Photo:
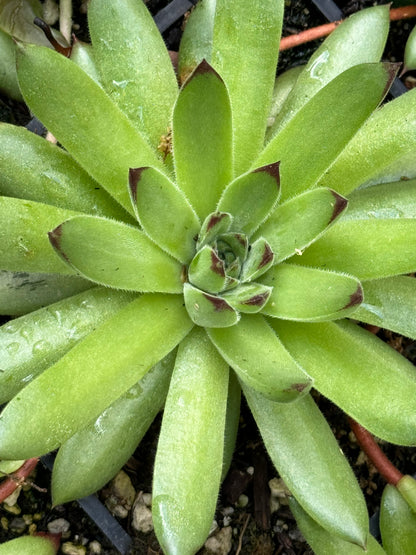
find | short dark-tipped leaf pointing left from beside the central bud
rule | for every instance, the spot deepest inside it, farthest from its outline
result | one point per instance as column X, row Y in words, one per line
column 115, row 254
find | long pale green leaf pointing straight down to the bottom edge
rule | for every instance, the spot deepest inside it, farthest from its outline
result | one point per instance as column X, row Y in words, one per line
column 187, row 474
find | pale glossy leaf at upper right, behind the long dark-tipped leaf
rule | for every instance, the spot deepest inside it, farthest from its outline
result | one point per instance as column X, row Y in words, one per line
column 360, row 39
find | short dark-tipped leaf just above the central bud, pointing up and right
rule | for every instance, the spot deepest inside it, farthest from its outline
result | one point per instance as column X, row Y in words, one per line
column 251, row 197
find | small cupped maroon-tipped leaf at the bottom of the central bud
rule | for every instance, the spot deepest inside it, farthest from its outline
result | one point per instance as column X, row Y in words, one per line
column 208, row 310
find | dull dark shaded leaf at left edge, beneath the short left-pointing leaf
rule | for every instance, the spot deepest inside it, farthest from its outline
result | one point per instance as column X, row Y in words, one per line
column 21, row 292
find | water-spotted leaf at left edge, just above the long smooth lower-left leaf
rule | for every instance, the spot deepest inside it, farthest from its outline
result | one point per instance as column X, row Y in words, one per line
column 32, row 343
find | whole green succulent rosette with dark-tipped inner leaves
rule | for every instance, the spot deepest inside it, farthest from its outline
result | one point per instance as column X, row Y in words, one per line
column 149, row 271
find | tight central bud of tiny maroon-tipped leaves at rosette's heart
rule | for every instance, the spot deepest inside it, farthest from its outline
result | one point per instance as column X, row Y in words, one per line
column 220, row 276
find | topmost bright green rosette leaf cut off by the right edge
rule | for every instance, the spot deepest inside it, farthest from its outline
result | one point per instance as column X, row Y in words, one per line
column 382, row 150
